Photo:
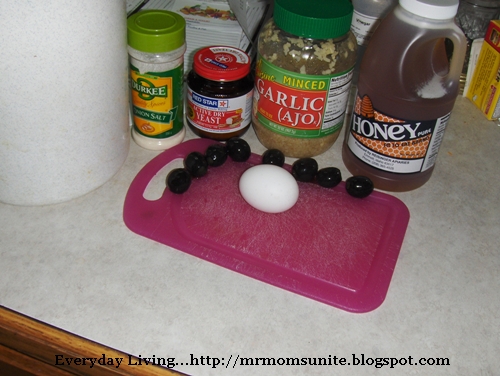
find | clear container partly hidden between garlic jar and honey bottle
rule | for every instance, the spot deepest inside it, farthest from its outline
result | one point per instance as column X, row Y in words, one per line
column 365, row 19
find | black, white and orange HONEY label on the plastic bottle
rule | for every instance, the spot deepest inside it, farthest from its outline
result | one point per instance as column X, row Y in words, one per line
column 394, row 145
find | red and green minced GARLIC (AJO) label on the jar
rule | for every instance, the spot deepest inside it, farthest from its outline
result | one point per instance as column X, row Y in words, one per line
column 300, row 105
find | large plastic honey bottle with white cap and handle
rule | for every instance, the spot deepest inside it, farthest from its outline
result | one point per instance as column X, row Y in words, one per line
column 408, row 83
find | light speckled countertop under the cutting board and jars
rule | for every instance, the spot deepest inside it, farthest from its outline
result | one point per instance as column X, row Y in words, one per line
column 77, row 266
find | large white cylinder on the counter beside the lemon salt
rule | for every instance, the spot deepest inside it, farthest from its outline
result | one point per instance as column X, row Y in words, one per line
column 64, row 128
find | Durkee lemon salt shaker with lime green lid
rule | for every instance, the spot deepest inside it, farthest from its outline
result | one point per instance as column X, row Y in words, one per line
column 156, row 48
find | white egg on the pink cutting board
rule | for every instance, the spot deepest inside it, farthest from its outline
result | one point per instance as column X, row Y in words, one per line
column 269, row 188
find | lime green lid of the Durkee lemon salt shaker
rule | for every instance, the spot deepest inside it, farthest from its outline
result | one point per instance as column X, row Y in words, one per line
column 156, row 31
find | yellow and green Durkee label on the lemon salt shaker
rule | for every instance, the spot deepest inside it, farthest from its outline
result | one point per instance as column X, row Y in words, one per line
column 155, row 104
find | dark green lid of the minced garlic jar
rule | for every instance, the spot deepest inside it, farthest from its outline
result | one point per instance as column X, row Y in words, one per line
column 317, row 19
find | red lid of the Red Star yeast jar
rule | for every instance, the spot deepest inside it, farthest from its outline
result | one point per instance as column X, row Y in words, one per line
column 221, row 63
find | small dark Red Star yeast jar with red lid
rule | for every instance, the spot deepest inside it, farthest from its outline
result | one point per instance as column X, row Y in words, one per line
column 219, row 93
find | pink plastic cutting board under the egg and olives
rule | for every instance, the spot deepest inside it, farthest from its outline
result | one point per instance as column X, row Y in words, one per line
column 330, row 247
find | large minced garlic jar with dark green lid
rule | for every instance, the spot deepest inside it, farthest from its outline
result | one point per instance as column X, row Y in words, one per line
column 306, row 55
